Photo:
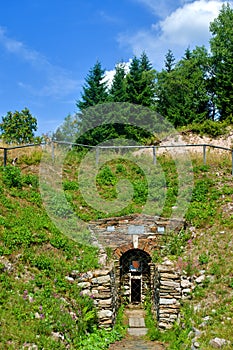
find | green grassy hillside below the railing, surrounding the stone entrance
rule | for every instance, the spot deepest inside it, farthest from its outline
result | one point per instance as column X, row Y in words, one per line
column 38, row 304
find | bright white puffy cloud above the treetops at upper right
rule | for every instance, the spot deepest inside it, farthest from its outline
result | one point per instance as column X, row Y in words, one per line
column 187, row 26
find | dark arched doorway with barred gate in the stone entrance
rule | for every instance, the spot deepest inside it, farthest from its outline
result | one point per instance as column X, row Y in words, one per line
column 135, row 276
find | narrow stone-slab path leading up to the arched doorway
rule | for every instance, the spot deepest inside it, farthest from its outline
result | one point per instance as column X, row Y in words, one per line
column 137, row 329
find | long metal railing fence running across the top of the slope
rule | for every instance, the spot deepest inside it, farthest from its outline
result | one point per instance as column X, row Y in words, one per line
column 98, row 149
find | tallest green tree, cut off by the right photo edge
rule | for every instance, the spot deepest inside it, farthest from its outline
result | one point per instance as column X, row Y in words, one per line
column 221, row 45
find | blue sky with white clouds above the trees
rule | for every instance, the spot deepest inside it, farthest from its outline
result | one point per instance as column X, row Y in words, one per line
column 47, row 47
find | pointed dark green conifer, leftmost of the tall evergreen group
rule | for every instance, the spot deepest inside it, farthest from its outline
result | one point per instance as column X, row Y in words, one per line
column 94, row 90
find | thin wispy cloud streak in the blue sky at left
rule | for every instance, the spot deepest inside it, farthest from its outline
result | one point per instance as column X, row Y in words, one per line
column 57, row 81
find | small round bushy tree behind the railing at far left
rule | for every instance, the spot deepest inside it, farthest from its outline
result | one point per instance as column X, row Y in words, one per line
column 19, row 127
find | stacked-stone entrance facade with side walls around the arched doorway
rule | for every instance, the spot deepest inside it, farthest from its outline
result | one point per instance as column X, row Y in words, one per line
column 142, row 232
